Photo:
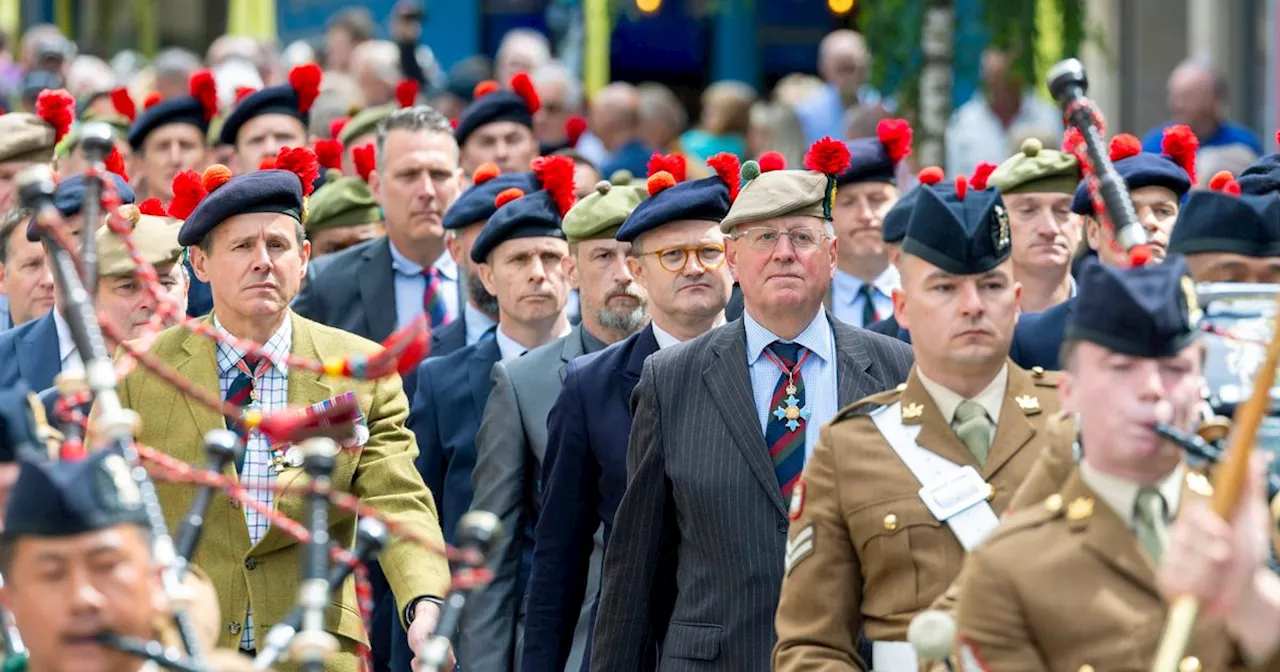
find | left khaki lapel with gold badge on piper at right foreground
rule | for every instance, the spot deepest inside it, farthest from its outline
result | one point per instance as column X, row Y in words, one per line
column 1108, row 537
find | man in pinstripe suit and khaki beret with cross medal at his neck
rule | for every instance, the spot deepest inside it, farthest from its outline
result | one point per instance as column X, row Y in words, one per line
column 723, row 428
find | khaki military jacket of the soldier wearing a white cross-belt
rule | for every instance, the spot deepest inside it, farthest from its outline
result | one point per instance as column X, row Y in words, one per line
column 865, row 551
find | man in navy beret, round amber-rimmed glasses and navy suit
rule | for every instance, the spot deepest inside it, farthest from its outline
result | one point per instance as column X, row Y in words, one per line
column 678, row 257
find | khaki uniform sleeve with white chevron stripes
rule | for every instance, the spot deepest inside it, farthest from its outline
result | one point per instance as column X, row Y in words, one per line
column 820, row 611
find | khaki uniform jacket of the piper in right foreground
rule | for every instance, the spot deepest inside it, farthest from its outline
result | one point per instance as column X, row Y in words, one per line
column 1067, row 587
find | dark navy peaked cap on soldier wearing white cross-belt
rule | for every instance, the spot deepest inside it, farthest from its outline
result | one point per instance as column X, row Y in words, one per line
column 961, row 236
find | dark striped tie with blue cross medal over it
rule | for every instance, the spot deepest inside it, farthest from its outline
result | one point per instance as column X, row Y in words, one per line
column 785, row 432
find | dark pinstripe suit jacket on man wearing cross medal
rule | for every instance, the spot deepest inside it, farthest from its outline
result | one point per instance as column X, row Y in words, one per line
column 694, row 566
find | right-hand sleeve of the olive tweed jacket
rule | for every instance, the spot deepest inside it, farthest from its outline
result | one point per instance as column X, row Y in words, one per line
column 387, row 481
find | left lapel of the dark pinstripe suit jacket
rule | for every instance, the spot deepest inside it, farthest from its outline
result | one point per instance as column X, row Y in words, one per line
column 730, row 386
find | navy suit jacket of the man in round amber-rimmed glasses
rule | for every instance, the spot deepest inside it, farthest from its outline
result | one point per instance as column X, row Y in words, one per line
column 584, row 477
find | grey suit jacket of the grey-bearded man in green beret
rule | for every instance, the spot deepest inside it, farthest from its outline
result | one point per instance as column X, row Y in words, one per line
column 510, row 450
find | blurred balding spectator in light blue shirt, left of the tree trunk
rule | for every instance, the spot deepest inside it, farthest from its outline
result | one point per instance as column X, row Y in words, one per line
column 844, row 65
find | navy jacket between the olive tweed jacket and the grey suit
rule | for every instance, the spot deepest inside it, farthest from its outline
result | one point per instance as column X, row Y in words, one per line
column 446, row 415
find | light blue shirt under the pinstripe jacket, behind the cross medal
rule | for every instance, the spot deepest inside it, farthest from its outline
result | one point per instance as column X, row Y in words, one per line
column 821, row 387
